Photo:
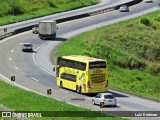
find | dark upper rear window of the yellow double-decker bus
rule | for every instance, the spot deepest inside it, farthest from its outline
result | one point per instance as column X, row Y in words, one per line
column 97, row 64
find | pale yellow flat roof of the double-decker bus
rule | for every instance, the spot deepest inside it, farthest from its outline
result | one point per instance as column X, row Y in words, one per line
column 82, row 58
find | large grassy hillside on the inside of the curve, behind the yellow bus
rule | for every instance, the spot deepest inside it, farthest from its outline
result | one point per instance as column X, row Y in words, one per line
column 132, row 49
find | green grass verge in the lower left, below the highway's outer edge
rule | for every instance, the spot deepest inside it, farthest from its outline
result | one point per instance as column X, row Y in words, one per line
column 18, row 99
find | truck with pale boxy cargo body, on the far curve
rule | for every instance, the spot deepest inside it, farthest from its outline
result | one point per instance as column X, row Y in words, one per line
column 47, row 29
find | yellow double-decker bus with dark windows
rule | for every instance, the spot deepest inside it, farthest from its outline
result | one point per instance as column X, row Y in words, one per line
column 82, row 73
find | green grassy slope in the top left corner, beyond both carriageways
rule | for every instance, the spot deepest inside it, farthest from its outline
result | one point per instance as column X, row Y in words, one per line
column 18, row 10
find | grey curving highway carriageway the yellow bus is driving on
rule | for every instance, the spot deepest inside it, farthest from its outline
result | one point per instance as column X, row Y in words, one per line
column 34, row 70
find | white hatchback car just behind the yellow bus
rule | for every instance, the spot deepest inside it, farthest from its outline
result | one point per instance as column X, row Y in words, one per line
column 107, row 98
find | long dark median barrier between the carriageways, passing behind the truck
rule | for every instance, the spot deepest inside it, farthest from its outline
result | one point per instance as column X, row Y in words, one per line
column 114, row 7
